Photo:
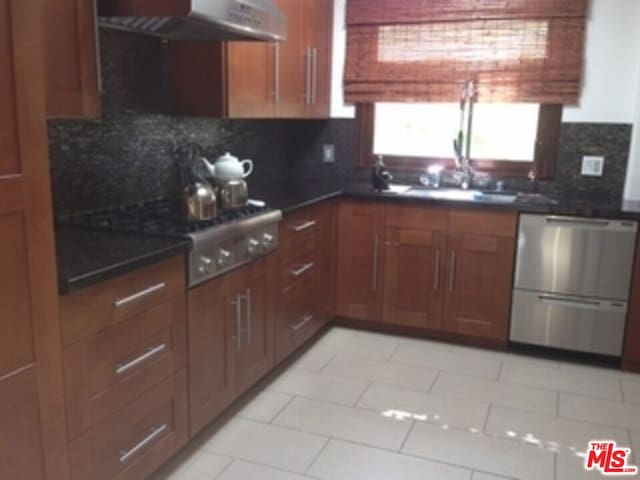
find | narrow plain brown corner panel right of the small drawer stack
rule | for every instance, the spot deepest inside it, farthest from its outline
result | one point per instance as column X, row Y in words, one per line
column 325, row 289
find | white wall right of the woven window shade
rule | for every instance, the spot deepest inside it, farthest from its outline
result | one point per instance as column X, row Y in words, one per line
column 612, row 67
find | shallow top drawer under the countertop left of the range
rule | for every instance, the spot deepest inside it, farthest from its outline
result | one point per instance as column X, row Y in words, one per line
column 94, row 309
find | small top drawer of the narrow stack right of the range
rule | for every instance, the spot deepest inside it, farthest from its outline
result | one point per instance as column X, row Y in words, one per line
column 298, row 235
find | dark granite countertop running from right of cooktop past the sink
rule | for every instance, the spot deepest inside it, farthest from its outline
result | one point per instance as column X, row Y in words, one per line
column 290, row 195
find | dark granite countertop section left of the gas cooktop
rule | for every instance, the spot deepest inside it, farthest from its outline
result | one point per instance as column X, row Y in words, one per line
column 86, row 257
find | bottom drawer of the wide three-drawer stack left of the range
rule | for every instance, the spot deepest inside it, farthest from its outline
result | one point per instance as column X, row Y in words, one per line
column 134, row 442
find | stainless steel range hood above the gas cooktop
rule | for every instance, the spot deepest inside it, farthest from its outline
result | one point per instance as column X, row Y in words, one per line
column 237, row 20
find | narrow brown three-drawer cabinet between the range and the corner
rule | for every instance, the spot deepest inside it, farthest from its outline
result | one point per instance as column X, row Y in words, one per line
column 307, row 276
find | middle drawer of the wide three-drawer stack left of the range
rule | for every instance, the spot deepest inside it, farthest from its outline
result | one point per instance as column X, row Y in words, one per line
column 110, row 369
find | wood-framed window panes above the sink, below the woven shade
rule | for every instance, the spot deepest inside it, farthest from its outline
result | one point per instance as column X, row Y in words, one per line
column 412, row 136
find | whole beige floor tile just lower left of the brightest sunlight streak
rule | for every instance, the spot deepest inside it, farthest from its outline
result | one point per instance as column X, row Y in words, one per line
column 346, row 423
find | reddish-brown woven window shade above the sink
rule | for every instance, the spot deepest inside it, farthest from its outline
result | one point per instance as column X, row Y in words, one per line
column 424, row 50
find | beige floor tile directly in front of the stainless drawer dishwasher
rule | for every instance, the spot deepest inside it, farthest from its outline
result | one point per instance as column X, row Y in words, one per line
column 535, row 375
